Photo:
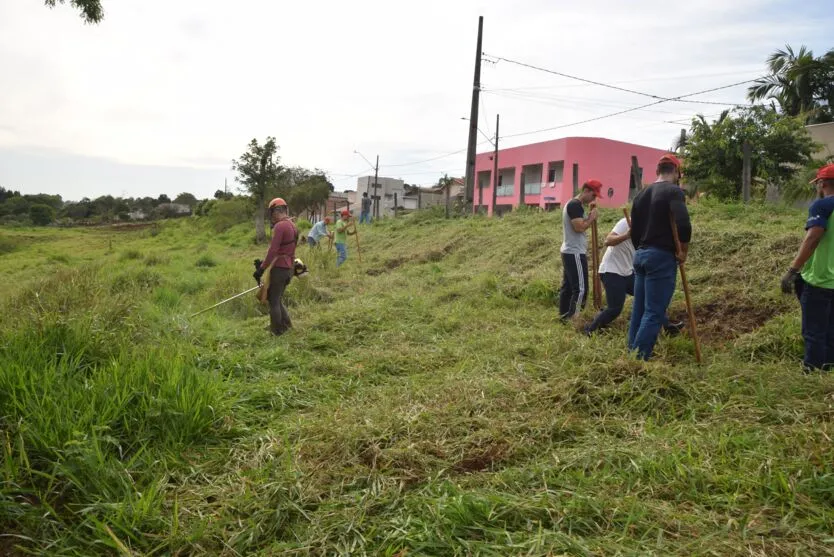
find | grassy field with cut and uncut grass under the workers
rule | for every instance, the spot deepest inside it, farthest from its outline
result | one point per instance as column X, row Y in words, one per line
column 427, row 402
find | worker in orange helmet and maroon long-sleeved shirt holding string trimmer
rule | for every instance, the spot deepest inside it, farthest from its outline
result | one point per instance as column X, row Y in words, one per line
column 280, row 259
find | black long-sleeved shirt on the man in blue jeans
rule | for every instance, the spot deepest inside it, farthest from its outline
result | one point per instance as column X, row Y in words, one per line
column 650, row 217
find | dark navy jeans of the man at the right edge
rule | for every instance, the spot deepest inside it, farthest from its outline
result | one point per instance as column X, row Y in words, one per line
column 818, row 326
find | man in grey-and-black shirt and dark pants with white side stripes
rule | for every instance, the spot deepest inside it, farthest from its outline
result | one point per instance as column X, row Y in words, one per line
column 573, row 294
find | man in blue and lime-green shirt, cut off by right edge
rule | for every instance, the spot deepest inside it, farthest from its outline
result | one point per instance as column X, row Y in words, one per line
column 811, row 275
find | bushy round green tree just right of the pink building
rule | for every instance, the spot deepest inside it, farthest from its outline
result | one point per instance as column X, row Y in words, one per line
column 713, row 156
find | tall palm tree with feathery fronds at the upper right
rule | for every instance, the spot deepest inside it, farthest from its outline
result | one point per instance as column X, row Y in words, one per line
column 801, row 84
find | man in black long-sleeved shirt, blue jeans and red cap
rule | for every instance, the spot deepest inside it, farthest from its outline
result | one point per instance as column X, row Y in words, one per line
column 655, row 258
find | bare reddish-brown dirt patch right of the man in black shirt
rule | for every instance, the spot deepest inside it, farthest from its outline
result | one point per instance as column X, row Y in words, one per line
column 720, row 322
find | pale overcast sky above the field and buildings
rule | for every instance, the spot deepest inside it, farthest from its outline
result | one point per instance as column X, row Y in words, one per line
column 162, row 94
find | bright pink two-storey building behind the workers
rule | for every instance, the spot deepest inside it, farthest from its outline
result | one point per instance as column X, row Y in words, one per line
column 548, row 174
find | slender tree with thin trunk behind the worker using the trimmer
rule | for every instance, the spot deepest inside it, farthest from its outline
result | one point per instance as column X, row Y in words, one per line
column 259, row 171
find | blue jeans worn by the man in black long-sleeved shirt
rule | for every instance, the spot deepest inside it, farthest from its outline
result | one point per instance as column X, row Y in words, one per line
column 655, row 272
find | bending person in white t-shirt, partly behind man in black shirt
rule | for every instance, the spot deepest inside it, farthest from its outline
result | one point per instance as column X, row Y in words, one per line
column 617, row 274
